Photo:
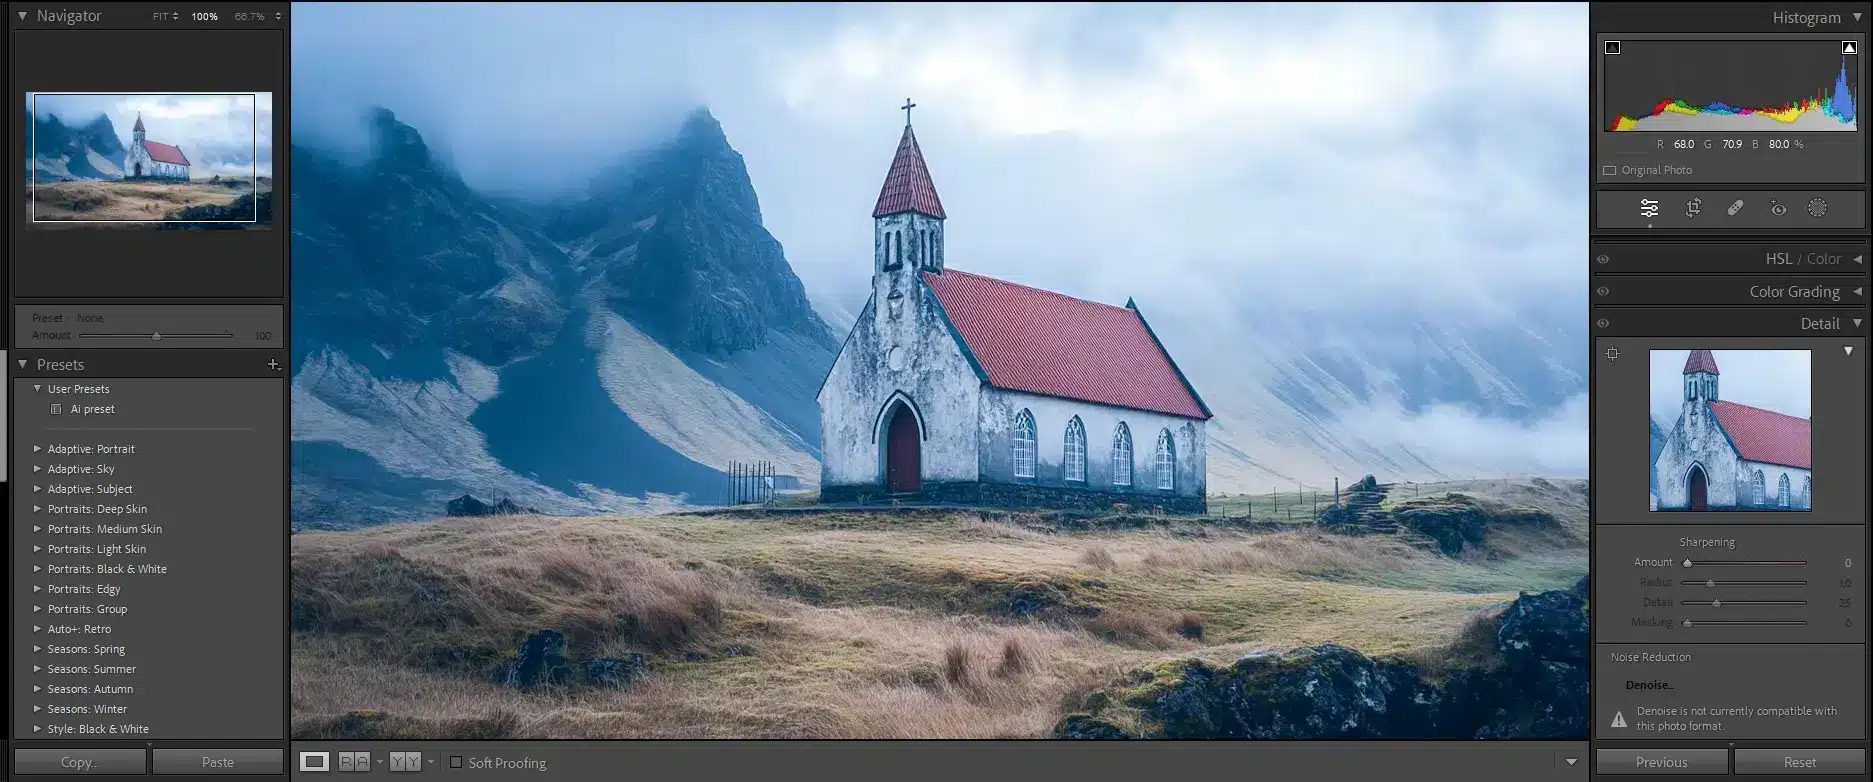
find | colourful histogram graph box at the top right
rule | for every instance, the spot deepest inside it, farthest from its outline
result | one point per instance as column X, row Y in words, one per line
column 1732, row 87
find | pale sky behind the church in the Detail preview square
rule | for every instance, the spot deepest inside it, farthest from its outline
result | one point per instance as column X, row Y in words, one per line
column 1762, row 379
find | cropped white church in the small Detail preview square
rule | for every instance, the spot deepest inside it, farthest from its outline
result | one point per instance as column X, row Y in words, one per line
column 1732, row 457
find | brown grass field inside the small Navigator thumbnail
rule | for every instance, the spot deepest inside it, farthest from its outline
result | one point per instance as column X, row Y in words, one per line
column 91, row 201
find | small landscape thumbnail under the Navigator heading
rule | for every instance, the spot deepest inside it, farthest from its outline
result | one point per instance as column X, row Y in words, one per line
column 184, row 160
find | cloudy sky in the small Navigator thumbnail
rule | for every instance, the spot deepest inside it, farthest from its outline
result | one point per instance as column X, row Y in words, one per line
column 218, row 134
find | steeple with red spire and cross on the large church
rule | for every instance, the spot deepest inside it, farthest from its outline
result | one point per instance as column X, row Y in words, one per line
column 909, row 216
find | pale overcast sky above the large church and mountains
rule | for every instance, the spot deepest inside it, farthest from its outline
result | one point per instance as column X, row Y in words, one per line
column 1102, row 151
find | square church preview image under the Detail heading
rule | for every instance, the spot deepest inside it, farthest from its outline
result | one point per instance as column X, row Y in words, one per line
column 1732, row 431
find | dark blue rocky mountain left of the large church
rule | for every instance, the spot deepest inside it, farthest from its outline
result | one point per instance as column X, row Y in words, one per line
column 610, row 360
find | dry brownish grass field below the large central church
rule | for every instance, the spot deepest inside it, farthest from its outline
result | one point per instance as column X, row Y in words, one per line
column 846, row 626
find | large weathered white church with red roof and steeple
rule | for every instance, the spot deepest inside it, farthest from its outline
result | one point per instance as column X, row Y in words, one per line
column 960, row 388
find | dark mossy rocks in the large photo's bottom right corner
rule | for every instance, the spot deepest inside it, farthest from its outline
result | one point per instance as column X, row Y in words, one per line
column 1537, row 689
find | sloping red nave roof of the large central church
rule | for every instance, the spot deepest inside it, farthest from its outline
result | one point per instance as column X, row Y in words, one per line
column 1039, row 341
